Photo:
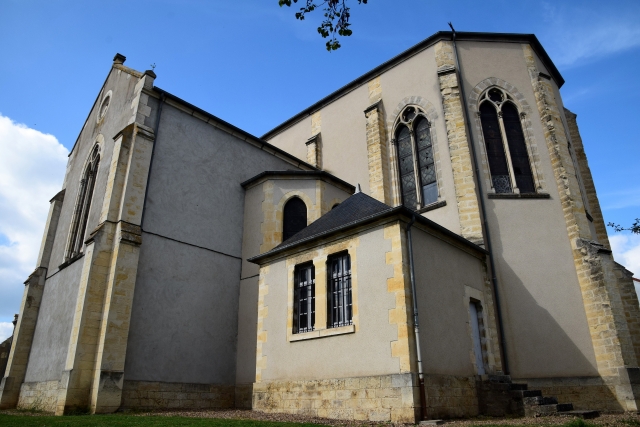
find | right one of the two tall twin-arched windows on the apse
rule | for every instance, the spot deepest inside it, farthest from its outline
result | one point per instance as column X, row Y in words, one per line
column 506, row 147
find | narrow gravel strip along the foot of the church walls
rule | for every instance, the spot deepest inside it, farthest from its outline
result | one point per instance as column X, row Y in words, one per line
column 610, row 420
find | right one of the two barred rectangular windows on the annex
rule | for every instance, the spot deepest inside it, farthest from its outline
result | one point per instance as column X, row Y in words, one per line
column 339, row 307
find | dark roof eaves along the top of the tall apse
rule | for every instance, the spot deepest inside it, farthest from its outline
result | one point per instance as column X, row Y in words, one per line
column 413, row 50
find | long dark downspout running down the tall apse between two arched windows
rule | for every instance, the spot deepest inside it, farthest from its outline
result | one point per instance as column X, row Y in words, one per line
column 485, row 225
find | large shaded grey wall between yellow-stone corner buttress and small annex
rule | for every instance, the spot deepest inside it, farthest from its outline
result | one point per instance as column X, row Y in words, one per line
column 189, row 271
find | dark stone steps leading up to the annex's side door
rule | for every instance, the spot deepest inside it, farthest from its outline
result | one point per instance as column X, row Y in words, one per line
column 499, row 397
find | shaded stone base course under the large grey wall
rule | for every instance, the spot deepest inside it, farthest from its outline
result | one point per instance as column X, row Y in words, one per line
column 159, row 395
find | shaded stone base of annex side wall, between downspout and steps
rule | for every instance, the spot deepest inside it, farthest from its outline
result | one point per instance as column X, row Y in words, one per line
column 450, row 396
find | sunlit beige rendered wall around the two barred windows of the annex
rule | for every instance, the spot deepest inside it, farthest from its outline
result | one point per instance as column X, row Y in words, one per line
column 365, row 352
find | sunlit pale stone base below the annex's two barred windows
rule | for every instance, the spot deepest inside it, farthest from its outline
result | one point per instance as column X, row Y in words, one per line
column 392, row 398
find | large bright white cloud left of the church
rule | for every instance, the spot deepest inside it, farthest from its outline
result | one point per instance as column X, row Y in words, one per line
column 32, row 166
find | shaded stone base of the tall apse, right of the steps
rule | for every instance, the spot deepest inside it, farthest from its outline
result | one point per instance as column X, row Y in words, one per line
column 583, row 392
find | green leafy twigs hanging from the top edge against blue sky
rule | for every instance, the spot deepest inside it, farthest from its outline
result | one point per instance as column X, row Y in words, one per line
column 336, row 18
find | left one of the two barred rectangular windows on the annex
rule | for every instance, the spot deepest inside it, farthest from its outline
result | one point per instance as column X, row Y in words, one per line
column 304, row 300
